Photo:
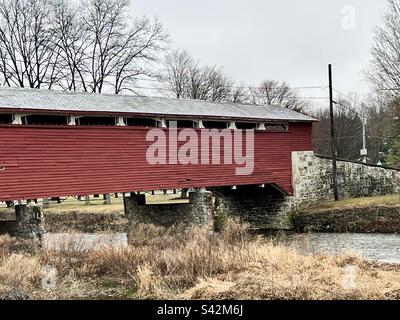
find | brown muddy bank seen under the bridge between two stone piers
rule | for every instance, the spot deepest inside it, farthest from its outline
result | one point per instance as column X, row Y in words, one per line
column 85, row 222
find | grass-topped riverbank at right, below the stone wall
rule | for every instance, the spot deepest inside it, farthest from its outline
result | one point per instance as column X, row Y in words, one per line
column 362, row 215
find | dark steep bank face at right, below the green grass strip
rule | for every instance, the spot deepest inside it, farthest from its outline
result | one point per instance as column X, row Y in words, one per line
column 363, row 219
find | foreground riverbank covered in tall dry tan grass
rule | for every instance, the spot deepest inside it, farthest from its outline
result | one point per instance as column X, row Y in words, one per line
column 190, row 264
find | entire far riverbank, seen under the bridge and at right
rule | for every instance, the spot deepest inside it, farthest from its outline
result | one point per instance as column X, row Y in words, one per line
column 361, row 215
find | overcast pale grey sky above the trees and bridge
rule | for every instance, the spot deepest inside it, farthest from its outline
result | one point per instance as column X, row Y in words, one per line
column 287, row 40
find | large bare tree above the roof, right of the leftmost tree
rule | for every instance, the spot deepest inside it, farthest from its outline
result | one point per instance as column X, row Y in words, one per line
column 119, row 48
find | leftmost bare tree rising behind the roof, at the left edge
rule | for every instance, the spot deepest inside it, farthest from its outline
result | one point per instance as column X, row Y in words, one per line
column 28, row 57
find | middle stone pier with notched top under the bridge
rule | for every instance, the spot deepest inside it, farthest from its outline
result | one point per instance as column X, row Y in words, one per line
column 198, row 211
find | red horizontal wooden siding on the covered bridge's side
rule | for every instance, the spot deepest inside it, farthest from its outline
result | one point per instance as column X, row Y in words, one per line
column 40, row 162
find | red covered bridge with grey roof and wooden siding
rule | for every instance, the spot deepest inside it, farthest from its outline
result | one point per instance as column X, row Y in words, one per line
column 55, row 143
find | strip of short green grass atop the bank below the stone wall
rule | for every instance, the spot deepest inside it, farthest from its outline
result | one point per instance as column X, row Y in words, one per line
column 390, row 200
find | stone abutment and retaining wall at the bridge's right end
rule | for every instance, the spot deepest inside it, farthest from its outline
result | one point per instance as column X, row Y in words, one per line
column 312, row 184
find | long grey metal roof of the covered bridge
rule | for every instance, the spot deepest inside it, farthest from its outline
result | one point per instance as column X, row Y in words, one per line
column 52, row 101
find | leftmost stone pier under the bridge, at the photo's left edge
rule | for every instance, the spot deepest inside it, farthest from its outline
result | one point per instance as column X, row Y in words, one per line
column 28, row 223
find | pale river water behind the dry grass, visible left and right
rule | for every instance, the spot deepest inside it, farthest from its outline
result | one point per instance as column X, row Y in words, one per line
column 380, row 247
